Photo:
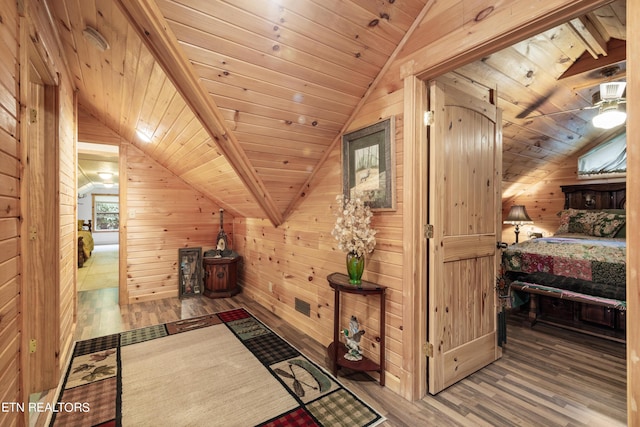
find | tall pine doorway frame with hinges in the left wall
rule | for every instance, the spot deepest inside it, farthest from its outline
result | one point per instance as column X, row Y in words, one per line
column 40, row 225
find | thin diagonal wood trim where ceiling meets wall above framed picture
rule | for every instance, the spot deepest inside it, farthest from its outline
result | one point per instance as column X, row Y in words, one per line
column 307, row 184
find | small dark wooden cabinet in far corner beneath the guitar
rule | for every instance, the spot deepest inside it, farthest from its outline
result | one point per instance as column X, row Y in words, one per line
column 220, row 276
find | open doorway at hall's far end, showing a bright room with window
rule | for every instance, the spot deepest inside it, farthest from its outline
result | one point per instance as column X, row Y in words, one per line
column 98, row 216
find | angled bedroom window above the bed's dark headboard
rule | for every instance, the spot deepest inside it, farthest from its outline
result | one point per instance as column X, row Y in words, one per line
column 606, row 160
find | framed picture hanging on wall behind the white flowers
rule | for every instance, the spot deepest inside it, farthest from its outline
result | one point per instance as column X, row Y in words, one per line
column 368, row 164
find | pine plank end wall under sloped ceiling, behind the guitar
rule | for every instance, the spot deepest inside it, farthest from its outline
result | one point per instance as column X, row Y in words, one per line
column 163, row 215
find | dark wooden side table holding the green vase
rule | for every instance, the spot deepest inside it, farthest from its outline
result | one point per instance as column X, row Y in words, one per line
column 336, row 350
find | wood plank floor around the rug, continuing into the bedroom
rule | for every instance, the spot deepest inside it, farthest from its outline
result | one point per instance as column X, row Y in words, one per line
column 546, row 377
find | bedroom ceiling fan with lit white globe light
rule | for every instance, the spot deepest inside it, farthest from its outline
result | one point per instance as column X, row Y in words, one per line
column 607, row 100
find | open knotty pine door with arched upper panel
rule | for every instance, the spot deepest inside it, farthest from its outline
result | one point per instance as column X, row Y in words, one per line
column 464, row 210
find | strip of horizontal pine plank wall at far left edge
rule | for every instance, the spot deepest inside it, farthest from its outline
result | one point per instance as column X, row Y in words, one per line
column 10, row 283
